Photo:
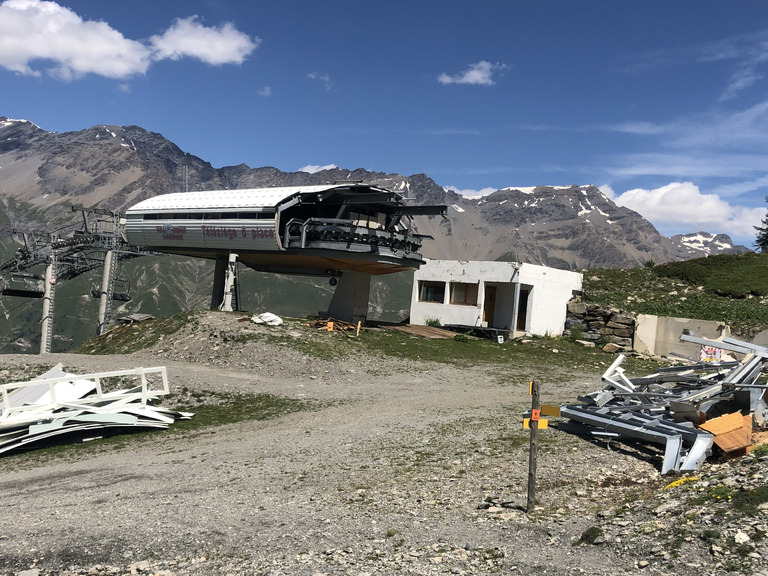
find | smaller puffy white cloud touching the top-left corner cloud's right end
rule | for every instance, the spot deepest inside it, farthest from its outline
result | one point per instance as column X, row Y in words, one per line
column 220, row 45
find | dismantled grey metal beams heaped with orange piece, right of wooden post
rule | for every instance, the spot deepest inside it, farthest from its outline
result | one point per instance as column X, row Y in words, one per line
column 687, row 409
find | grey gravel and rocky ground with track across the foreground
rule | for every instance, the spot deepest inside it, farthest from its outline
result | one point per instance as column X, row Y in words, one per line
column 399, row 468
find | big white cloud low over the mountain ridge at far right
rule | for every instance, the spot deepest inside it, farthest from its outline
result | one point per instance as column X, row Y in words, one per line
column 683, row 206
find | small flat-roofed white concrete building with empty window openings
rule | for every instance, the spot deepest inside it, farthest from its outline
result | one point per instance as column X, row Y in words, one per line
column 508, row 296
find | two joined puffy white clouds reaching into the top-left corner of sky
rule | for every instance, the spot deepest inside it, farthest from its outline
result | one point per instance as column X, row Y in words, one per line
column 37, row 34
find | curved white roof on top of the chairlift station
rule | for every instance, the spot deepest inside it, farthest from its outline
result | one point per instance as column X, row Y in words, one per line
column 246, row 198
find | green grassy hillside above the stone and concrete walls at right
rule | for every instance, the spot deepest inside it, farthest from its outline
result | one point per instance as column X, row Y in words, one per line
column 728, row 288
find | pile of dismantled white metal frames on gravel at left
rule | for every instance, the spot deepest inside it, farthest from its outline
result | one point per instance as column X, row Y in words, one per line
column 57, row 405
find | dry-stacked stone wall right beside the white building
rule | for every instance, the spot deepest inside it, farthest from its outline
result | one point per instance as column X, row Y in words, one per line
column 600, row 324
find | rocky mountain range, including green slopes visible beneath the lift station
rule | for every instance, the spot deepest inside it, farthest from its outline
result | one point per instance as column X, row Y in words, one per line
column 44, row 174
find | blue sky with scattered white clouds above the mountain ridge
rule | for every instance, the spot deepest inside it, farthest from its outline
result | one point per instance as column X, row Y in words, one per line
column 664, row 105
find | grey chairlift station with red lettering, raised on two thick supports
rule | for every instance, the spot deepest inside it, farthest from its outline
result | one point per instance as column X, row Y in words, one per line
column 346, row 231
